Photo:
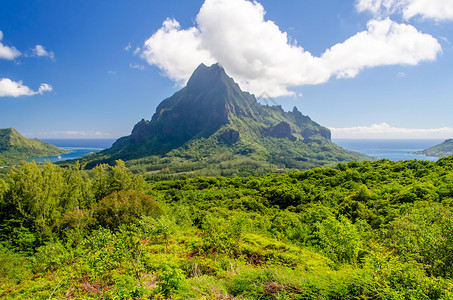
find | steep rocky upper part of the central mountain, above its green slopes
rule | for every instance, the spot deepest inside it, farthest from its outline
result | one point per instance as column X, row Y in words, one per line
column 210, row 101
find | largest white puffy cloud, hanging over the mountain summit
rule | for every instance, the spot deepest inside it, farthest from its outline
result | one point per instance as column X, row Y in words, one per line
column 263, row 59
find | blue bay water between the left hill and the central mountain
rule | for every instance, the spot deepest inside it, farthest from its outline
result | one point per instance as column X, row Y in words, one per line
column 78, row 148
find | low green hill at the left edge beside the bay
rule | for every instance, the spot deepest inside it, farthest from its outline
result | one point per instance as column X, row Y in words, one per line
column 15, row 147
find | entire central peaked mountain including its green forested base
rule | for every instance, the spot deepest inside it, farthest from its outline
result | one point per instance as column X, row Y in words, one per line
column 214, row 128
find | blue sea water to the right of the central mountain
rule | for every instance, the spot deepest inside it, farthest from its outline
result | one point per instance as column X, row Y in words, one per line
column 390, row 149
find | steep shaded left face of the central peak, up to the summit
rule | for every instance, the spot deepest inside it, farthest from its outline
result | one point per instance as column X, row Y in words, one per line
column 197, row 111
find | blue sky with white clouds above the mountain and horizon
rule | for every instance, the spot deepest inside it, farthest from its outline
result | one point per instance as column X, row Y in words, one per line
column 93, row 69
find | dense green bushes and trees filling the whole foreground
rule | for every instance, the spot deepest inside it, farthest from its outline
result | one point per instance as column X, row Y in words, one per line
column 370, row 230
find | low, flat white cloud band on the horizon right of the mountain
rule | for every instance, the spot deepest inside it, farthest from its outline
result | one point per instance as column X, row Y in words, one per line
column 384, row 130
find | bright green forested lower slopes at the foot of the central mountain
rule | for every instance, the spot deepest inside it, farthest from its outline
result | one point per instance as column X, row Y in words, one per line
column 209, row 157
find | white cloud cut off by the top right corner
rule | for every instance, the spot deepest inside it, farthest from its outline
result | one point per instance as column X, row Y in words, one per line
column 438, row 10
